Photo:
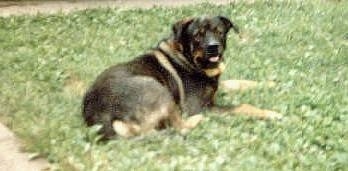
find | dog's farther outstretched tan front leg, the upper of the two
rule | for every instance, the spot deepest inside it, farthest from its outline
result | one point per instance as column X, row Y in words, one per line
column 238, row 85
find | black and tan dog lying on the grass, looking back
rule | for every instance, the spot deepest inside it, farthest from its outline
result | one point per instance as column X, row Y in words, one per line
column 180, row 76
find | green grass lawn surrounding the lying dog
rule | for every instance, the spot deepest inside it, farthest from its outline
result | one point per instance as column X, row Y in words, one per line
column 302, row 45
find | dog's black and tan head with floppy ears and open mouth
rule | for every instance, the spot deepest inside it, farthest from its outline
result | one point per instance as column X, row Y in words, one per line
column 203, row 39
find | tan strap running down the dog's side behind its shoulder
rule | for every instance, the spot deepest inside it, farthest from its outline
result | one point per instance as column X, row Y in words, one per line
column 169, row 67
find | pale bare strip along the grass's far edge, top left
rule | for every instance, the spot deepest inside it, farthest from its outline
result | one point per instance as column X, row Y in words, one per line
column 8, row 8
